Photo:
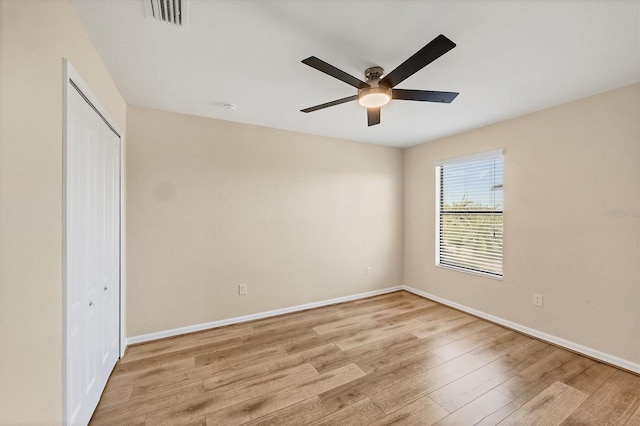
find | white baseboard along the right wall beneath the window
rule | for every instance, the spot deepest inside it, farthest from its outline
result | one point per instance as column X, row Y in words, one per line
column 567, row 344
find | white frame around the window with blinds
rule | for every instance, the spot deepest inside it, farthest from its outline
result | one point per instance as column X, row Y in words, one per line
column 438, row 191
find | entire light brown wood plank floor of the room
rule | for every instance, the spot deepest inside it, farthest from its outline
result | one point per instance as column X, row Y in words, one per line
column 391, row 359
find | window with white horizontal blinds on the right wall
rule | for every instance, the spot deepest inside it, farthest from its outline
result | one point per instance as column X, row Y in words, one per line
column 469, row 213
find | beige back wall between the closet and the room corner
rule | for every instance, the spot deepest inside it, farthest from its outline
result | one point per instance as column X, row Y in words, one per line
column 211, row 204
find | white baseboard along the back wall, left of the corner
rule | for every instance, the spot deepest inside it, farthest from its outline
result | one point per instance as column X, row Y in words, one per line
column 205, row 326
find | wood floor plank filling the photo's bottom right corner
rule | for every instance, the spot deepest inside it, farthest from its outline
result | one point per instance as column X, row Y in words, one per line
column 612, row 403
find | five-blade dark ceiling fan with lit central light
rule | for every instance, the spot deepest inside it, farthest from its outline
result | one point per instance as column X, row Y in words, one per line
column 377, row 90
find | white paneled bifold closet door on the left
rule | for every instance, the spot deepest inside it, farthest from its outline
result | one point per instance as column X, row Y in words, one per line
column 92, row 255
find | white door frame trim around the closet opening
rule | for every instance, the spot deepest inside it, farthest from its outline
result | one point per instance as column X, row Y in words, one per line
column 71, row 76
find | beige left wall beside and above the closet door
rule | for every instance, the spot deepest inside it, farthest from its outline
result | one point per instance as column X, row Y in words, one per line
column 34, row 36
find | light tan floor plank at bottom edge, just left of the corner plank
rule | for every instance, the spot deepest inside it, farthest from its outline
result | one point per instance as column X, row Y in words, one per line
column 550, row 407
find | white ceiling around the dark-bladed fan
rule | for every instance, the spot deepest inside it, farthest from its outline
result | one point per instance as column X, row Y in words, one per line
column 512, row 58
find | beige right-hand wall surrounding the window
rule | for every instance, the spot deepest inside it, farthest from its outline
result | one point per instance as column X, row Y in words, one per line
column 565, row 167
